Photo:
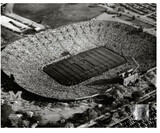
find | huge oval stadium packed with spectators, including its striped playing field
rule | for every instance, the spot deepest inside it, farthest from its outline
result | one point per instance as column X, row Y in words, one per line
column 58, row 63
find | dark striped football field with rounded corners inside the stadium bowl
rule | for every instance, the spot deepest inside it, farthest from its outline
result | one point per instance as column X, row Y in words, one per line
column 83, row 66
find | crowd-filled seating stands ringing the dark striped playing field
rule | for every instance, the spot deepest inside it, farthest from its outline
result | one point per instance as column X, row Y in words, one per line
column 26, row 58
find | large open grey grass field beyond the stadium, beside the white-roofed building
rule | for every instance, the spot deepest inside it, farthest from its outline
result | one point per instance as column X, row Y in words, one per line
column 56, row 15
